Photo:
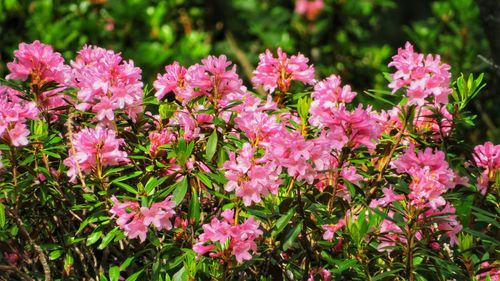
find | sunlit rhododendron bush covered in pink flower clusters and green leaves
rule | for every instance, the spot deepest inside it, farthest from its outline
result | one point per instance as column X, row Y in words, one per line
column 199, row 177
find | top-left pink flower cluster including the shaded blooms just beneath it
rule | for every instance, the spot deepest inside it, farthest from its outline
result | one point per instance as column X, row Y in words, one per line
column 39, row 63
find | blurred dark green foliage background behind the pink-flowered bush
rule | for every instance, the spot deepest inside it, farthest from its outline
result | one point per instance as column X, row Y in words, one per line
column 352, row 38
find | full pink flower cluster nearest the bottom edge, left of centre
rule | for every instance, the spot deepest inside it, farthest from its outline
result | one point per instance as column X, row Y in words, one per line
column 226, row 236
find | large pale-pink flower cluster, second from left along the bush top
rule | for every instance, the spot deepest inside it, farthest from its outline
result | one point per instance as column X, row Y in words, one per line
column 106, row 83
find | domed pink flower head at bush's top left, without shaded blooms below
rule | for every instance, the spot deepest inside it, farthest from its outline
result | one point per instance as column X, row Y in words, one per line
column 40, row 62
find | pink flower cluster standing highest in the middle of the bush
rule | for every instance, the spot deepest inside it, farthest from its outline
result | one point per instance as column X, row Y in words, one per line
column 279, row 72
